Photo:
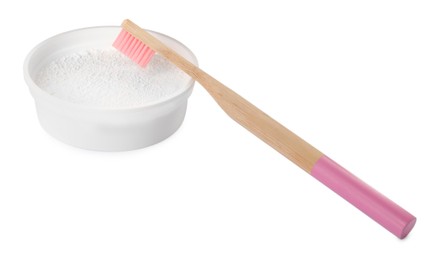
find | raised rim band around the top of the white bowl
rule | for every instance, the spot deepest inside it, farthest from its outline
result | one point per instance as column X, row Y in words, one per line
column 35, row 90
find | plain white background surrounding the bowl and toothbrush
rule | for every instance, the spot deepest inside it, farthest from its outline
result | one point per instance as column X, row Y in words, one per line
column 353, row 78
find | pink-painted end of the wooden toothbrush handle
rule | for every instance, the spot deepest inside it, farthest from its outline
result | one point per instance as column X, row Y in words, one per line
column 378, row 207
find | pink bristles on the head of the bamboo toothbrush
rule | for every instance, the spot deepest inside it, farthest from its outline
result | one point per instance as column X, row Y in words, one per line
column 132, row 47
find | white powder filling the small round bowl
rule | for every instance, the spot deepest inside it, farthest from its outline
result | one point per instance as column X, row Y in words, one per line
column 107, row 78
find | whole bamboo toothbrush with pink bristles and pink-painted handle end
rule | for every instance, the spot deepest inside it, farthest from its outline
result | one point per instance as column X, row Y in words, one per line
column 140, row 46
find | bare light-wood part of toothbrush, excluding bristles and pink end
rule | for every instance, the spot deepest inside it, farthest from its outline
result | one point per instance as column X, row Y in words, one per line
column 239, row 109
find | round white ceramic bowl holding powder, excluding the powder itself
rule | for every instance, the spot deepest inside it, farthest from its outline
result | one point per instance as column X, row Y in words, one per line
column 96, row 128
